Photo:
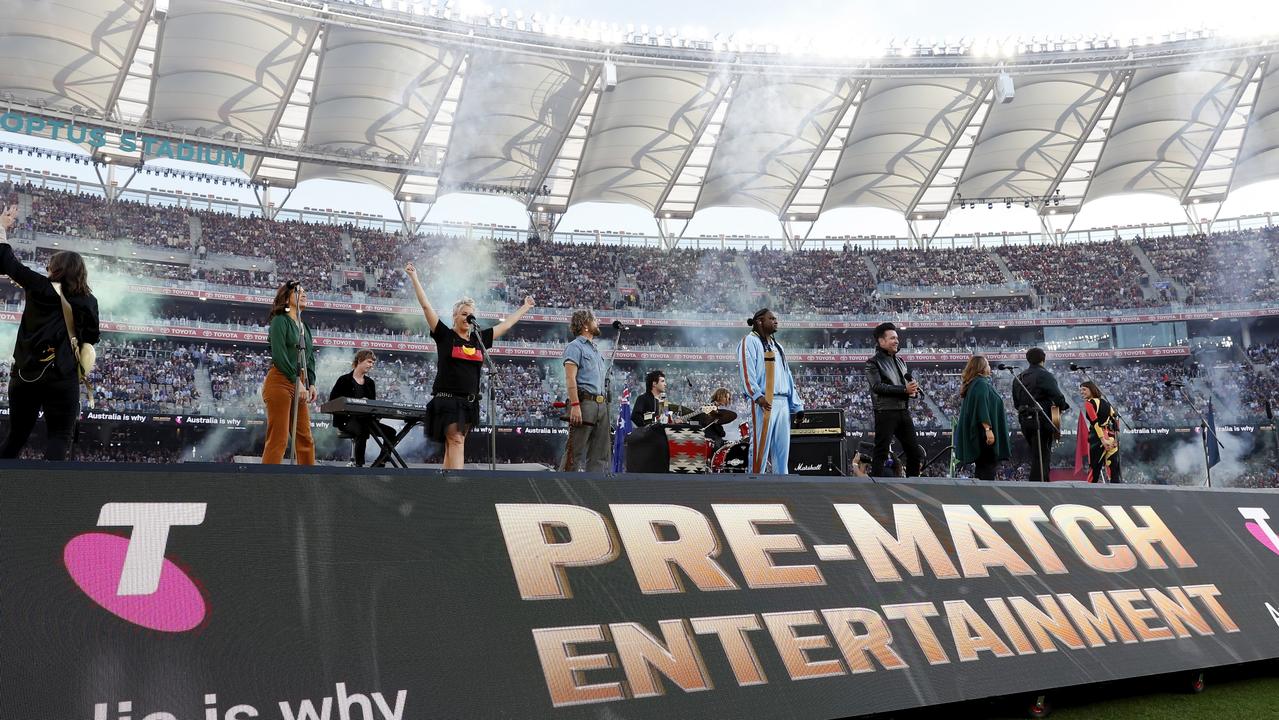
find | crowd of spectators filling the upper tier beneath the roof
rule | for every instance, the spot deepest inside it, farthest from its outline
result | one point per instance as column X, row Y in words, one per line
column 1222, row 268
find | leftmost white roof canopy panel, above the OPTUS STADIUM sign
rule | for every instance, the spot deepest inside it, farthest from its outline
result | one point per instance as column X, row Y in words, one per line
column 68, row 52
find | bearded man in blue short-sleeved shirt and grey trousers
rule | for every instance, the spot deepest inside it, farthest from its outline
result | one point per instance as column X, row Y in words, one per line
column 589, row 446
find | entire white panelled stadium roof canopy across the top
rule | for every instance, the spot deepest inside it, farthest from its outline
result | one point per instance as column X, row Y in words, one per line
column 425, row 104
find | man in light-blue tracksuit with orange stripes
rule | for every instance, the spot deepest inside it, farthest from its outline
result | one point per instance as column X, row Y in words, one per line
column 769, row 387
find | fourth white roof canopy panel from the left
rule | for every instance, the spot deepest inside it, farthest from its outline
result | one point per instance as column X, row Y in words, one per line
column 514, row 112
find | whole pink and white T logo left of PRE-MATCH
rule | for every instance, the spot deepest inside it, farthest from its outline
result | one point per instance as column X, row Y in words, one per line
column 131, row 577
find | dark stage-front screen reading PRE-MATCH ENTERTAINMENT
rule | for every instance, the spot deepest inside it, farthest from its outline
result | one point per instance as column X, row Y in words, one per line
column 189, row 591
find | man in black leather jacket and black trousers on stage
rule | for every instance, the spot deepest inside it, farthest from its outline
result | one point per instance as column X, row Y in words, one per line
column 891, row 397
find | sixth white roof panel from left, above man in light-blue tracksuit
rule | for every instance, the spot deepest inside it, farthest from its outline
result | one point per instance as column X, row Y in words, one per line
column 774, row 129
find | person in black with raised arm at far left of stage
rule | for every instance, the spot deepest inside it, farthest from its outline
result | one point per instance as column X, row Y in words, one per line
column 47, row 373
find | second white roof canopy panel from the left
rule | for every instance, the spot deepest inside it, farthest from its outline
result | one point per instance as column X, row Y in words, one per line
column 223, row 67
